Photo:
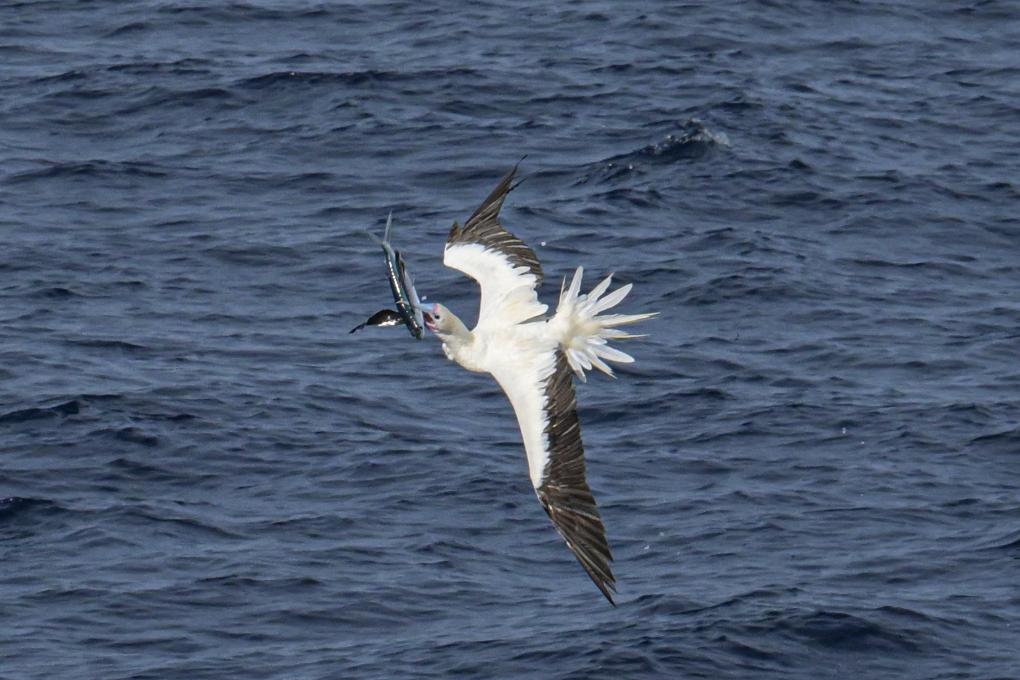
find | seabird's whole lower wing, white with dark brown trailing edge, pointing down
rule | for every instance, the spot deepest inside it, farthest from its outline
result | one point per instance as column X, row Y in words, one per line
column 540, row 387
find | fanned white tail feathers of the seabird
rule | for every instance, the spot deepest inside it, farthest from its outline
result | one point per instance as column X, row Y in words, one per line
column 584, row 335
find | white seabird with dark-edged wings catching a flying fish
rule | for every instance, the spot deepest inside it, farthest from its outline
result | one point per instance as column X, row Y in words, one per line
column 532, row 357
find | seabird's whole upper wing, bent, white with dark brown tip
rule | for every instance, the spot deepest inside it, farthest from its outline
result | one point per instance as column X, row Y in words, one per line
column 507, row 271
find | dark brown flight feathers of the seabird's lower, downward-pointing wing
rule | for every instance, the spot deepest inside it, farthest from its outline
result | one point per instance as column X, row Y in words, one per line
column 565, row 492
